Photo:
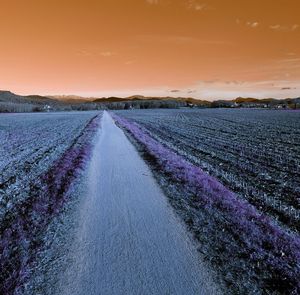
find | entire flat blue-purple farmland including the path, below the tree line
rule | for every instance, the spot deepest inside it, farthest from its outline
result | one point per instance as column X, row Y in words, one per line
column 231, row 175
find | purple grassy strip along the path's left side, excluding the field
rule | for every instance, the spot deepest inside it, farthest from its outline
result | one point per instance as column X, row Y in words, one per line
column 23, row 227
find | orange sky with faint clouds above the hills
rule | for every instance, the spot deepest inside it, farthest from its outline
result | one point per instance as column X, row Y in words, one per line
column 204, row 49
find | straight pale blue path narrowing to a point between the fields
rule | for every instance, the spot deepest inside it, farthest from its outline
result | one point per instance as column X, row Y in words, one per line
column 129, row 241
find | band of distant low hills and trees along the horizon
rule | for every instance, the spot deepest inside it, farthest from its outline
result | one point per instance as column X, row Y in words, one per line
column 11, row 102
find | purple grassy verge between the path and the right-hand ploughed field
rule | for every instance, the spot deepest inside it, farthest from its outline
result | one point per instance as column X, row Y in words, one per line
column 239, row 238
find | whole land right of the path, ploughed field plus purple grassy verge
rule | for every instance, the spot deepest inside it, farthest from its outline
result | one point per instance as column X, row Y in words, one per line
column 246, row 213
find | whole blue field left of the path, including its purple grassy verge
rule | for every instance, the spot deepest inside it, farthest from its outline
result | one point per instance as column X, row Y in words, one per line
column 40, row 156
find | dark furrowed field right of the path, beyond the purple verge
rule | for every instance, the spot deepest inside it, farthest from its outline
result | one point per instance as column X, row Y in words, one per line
column 255, row 153
